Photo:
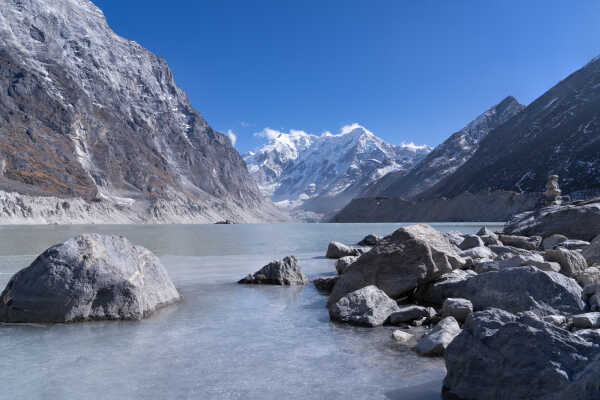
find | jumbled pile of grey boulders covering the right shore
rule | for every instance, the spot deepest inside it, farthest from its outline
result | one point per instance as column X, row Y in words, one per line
column 515, row 316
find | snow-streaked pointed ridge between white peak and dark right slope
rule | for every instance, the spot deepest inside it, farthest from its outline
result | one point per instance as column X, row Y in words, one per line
column 446, row 158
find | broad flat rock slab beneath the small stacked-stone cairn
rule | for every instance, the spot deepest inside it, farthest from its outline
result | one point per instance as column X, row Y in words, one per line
column 577, row 220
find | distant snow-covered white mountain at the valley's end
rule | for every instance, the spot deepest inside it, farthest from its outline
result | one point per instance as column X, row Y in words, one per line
column 320, row 174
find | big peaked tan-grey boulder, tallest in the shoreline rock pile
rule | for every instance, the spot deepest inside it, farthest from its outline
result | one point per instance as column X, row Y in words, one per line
column 409, row 257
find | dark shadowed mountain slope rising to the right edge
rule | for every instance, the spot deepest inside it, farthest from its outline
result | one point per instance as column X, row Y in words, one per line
column 559, row 133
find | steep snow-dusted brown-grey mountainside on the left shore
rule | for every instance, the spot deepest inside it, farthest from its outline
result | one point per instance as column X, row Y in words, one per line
column 90, row 116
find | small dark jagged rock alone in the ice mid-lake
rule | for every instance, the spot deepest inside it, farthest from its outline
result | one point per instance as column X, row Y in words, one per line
column 281, row 272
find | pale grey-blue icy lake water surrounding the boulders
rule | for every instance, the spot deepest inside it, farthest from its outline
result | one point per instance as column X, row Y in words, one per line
column 224, row 341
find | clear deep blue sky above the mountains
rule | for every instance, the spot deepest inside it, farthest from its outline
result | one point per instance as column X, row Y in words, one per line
column 407, row 70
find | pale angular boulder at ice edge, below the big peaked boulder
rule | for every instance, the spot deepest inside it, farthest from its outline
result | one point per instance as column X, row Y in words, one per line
column 367, row 306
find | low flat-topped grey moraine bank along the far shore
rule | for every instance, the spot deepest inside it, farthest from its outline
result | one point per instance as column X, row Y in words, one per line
column 481, row 206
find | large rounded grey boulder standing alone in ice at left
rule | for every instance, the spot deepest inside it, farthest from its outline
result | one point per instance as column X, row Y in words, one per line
column 89, row 277
